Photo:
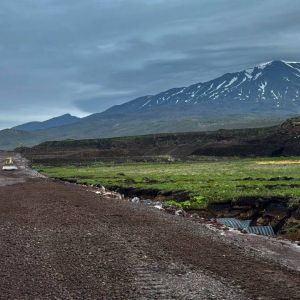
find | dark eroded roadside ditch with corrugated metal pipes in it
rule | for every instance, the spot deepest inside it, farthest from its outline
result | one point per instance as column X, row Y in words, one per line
column 265, row 216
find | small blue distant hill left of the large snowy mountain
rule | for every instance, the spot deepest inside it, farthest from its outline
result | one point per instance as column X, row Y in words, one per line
column 51, row 123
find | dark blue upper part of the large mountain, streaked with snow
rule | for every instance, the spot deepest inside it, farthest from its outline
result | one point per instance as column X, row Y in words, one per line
column 272, row 85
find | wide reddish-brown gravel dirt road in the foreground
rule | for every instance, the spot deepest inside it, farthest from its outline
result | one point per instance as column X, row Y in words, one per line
column 61, row 241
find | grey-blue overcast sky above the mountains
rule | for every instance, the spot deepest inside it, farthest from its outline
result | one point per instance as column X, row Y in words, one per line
column 83, row 56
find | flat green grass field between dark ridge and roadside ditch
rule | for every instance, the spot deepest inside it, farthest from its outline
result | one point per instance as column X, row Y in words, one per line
column 205, row 181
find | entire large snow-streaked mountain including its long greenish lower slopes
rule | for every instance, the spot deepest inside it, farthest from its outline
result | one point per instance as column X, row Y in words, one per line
column 264, row 95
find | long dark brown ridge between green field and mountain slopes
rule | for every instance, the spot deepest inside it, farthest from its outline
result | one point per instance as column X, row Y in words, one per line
column 272, row 141
